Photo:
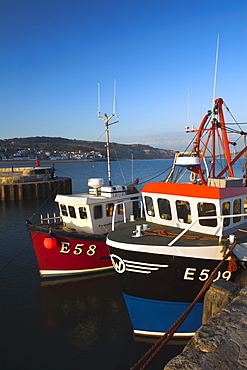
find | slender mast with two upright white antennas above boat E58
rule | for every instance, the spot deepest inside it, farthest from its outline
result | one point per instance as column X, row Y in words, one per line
column 106, row 119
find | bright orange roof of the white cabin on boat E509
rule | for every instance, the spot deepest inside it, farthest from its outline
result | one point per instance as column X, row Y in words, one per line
column 192, row 190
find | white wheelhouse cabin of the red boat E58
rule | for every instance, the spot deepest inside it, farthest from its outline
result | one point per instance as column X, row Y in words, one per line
column 92, row 212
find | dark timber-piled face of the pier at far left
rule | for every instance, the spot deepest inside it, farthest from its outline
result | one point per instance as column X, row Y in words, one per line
column 35, row 189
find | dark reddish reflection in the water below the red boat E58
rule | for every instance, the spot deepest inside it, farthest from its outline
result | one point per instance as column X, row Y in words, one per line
column 84, row 310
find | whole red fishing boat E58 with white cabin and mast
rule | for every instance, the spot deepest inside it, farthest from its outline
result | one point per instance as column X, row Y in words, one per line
column 74, row 242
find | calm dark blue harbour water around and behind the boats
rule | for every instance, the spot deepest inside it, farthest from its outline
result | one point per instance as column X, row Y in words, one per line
column 78, row 323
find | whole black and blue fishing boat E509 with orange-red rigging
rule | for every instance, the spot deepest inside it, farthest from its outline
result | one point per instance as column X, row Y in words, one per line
column 189, row 221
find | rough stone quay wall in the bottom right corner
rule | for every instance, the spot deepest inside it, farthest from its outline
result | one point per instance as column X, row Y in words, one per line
column 221, row 343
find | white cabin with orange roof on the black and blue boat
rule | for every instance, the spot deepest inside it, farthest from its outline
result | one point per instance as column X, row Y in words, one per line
column 180, row 205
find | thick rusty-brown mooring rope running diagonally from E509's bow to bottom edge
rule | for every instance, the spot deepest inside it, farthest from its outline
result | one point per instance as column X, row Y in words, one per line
column 156, row 348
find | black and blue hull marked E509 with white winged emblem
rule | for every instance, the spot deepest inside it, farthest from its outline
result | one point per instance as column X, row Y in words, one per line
column 158, row 288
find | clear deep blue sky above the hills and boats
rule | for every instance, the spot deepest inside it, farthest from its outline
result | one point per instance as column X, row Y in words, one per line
column 53, row 53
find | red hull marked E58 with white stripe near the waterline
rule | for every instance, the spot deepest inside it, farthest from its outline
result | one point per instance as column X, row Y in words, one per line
column 72, row 254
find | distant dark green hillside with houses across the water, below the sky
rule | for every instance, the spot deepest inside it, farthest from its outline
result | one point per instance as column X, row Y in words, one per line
column 58, row 144
